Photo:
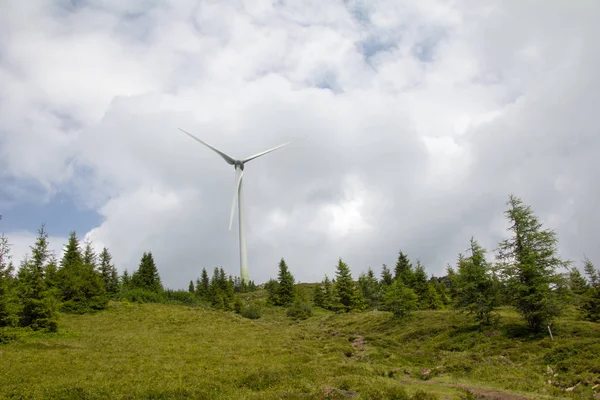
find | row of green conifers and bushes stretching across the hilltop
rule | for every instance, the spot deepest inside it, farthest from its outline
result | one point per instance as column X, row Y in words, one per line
column 527, row 274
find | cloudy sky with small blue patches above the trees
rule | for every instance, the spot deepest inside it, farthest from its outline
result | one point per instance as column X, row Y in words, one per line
column 410, row 122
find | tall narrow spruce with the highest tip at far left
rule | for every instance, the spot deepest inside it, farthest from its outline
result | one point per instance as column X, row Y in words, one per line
column 38, row 308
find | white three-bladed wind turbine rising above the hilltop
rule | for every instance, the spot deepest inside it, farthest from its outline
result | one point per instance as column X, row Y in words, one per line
column 237, row 197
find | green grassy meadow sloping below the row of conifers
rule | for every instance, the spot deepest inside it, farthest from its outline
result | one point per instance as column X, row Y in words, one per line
column 157, row 351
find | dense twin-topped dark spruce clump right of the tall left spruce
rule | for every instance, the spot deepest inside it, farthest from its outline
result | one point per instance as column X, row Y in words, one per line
column 81, row 286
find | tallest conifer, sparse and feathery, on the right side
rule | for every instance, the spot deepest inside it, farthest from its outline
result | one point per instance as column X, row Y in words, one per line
column 529, row 261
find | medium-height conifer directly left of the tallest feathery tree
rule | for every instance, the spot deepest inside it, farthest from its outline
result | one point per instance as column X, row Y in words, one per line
column 475, row 289
